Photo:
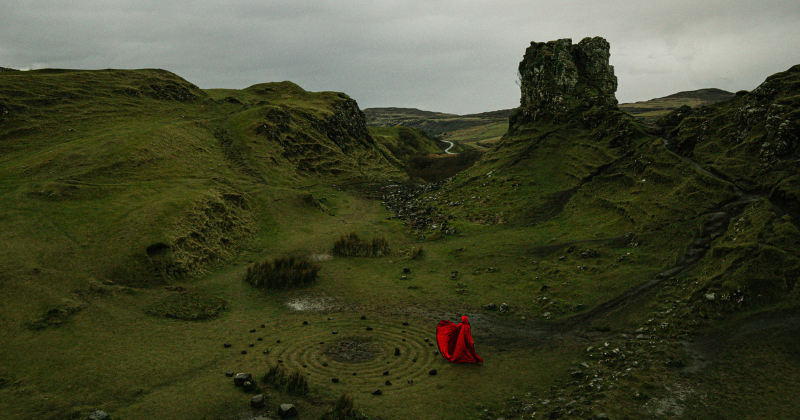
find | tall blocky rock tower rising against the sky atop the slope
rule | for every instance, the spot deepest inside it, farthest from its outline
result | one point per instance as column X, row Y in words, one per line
column 558, row 78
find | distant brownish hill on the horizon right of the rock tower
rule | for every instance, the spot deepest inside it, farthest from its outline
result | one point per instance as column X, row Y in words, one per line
column 649, row 111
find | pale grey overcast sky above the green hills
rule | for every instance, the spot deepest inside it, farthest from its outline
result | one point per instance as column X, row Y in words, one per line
column 439, row 55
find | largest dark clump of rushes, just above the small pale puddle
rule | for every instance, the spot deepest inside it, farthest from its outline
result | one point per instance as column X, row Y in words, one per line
column 282, row 273
